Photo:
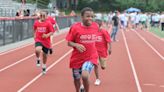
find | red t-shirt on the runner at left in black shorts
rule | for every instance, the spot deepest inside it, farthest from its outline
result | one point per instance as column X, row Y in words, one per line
column 40, row 29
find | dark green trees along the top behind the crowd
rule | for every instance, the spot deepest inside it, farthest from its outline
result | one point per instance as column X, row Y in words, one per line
column 110, row 5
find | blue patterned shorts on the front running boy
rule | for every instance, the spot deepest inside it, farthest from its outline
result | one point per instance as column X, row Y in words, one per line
column 87, row 66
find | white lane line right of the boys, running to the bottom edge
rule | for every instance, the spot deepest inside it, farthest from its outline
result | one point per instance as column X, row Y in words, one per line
column 132, row 65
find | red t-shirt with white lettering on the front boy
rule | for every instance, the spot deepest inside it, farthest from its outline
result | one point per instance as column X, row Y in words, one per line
column 87, row 37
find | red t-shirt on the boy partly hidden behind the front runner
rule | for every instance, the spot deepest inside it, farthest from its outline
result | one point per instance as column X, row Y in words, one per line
column 103, row 39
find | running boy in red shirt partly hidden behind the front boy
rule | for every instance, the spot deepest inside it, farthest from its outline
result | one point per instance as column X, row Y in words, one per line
column 103, row 45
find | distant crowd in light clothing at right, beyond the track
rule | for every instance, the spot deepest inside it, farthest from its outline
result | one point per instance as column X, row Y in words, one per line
column 139, row 20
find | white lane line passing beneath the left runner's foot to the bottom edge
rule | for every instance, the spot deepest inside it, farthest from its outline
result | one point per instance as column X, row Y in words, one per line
column 38, row 76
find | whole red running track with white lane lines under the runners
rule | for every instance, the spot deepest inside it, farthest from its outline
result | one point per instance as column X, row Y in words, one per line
column 136, row 65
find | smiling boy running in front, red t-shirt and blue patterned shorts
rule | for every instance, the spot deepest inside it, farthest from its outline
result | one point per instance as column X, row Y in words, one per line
column 82, row 37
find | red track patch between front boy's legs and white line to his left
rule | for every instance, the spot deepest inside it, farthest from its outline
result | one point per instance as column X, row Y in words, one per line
column 58, row 79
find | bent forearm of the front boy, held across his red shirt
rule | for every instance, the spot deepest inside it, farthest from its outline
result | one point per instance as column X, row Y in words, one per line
column 78, row 46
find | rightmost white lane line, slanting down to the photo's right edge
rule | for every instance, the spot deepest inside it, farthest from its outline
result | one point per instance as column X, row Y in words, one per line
column 150, row 45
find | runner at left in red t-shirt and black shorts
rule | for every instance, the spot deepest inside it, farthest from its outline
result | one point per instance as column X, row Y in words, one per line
column 42, row 31
